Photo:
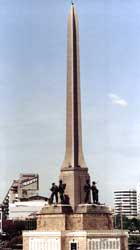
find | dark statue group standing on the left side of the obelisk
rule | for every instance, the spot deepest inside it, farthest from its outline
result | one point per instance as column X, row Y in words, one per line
column 60, row 189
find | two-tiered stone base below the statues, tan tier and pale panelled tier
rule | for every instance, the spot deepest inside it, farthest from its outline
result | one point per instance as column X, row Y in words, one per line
column 59, row 230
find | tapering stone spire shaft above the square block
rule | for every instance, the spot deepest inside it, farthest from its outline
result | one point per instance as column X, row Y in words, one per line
column 74, row 154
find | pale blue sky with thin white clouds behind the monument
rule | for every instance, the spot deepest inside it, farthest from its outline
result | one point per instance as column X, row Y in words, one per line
column 33, row 45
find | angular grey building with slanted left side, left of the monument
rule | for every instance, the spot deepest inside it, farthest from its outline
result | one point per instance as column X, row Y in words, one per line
column 23, row 188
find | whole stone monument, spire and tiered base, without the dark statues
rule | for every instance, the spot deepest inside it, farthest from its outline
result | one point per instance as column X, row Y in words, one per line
column 75, row 226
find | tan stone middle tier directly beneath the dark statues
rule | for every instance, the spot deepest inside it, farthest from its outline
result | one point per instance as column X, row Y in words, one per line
column 86, row 217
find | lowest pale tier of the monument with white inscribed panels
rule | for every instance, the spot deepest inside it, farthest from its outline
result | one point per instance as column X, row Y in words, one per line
column 76, row 240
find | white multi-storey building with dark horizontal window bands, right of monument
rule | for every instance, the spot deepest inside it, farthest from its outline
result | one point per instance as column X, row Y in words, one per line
column 126, row 202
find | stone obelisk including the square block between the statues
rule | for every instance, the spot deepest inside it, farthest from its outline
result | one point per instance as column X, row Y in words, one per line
column 74, row 171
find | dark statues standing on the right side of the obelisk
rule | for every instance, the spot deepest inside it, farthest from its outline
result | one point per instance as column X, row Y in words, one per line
column 91, row 189
